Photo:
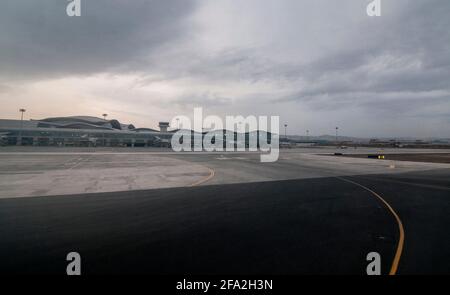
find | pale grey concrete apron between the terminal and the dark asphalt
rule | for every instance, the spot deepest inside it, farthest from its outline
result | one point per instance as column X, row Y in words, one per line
column 42, row 171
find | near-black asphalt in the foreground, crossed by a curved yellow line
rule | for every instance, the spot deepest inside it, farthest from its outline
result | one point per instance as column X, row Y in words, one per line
column 297, row 226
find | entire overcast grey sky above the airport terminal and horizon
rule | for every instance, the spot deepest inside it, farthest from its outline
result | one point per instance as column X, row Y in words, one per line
column 315, row 63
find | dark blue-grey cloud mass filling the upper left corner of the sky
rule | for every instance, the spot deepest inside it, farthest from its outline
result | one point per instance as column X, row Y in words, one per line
column 38, row 39
